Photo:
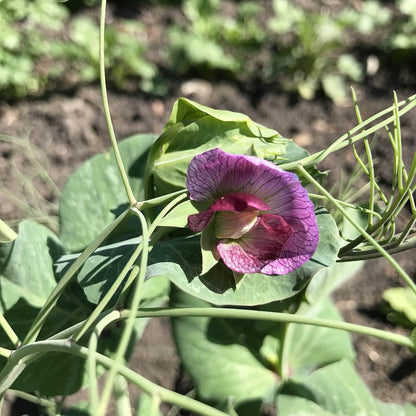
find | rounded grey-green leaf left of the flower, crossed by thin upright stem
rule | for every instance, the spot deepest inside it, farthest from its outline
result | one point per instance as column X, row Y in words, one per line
column 94, row 195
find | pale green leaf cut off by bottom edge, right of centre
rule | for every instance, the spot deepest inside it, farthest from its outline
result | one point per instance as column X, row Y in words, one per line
column 336, row 388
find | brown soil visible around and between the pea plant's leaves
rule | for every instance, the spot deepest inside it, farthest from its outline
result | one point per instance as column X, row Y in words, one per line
column 68, row 127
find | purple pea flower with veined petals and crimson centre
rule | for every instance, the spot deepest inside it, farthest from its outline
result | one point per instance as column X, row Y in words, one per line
column 259, row 218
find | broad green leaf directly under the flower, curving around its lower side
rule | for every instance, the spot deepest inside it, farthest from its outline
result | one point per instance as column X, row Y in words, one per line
column 218, row 286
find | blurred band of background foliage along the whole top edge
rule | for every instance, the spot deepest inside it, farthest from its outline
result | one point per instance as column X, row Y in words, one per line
column 45, row 43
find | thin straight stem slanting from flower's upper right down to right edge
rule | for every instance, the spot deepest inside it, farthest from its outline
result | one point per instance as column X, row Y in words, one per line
column 361, row 230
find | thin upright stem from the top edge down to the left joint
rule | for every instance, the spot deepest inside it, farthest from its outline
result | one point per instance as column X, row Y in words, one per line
column 106, row 109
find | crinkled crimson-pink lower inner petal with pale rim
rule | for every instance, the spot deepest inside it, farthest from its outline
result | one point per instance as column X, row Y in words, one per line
column 257, row 248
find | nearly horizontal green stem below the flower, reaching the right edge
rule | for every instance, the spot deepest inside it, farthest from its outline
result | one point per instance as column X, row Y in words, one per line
column 274, row 317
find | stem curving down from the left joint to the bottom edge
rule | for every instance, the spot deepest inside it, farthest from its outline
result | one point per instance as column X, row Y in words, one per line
column 128, row 330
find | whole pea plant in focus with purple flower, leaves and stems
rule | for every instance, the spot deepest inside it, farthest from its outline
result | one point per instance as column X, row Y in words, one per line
column 224, row 226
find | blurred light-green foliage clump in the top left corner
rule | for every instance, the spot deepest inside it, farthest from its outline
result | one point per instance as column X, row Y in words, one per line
column 41, row 44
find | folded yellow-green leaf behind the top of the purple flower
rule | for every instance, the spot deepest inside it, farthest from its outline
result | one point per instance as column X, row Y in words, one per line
column 194, row 128
